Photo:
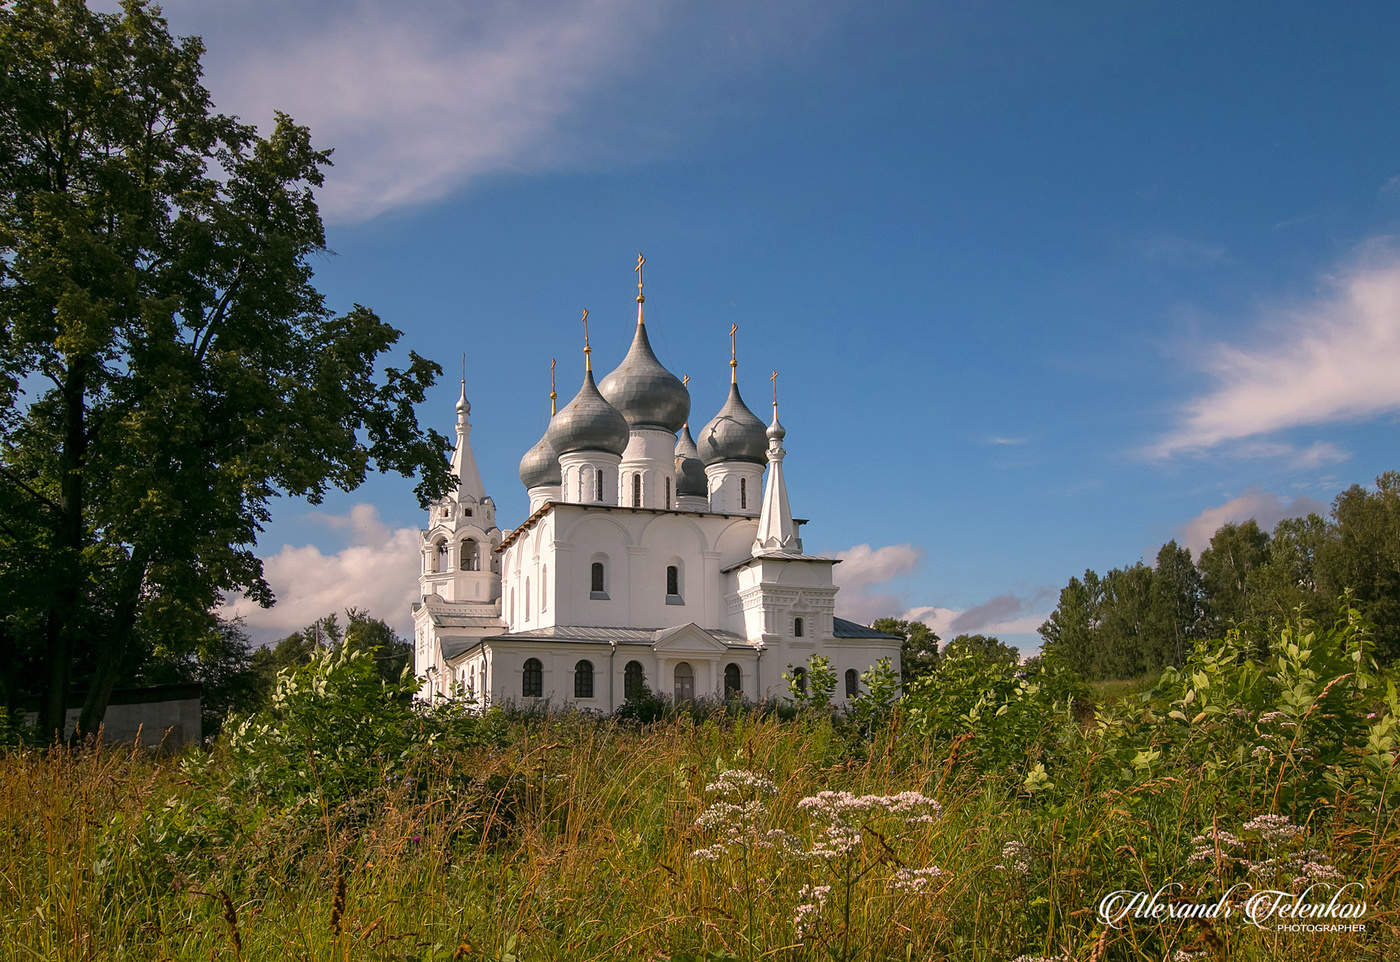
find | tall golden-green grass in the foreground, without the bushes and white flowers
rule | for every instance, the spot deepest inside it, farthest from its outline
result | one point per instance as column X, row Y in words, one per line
column 572, row 838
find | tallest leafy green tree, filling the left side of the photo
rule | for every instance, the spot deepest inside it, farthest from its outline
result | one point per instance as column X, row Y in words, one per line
column 167, row 368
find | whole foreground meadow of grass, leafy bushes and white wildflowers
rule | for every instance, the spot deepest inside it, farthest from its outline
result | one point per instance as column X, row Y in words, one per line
column 981, row 817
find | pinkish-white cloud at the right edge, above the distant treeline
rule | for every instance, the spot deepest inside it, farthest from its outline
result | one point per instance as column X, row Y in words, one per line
column 1326, row 361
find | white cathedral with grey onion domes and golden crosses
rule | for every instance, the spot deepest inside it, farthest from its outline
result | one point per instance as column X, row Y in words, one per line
column 646, row 561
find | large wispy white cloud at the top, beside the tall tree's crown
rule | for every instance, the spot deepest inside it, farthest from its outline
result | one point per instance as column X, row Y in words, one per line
column 425, row 97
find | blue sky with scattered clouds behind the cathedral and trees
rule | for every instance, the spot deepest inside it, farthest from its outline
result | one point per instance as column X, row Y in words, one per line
column 1048, row 285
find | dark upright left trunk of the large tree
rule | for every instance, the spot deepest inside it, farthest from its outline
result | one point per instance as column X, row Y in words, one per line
column 62, row 615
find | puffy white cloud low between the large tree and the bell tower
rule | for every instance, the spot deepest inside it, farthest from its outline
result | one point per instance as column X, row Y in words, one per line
column 377, row 572
